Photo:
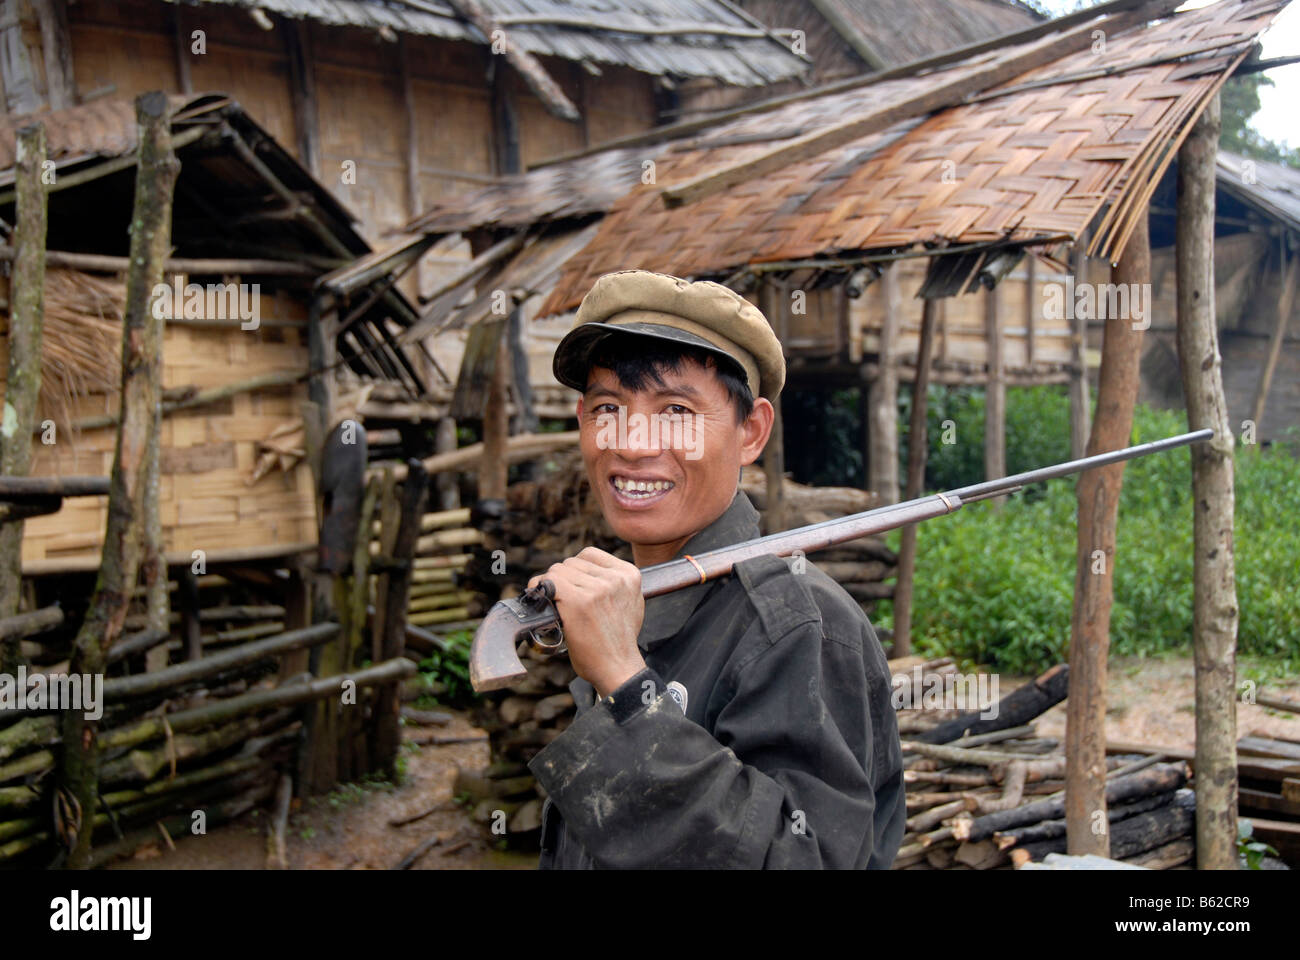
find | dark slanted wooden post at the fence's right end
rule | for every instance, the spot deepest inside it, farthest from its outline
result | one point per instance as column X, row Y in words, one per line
column 385, row 732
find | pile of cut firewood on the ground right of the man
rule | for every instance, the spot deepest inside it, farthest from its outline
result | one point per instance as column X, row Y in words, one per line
column 989, row 794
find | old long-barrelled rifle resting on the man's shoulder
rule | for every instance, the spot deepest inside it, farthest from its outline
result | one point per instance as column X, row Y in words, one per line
column 493, row 658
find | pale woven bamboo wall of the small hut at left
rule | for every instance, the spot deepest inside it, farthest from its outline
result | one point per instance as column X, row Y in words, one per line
column 207, row 457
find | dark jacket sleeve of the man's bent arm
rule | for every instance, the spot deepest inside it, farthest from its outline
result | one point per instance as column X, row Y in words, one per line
column 777, row 785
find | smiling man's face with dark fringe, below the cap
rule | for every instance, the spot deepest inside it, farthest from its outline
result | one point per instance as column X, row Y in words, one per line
column 666, row 465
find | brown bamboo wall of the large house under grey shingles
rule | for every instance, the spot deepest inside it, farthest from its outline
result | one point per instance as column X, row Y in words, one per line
column 131, row 46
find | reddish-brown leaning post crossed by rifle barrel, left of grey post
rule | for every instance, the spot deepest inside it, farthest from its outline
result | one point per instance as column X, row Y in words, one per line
column 1094, row 582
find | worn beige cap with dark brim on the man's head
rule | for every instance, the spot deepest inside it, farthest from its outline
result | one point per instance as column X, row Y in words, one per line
column 700, row 314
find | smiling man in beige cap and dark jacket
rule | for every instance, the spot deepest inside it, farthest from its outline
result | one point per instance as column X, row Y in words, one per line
column 744, row 723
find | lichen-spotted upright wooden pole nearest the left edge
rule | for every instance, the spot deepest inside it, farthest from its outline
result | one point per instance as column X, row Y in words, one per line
column 23, row 384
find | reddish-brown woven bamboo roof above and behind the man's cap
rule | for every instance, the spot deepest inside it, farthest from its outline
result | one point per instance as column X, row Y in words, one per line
column 1038, row 158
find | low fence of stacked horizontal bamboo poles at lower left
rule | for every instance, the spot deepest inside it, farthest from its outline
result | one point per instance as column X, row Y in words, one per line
column 181, row 749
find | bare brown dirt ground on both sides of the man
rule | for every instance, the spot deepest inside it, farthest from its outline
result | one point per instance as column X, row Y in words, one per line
column 1152, row 702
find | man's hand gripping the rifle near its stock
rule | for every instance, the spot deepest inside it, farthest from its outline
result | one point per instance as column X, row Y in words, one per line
column 599, row 599
